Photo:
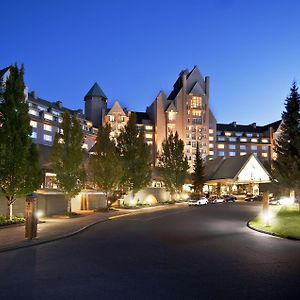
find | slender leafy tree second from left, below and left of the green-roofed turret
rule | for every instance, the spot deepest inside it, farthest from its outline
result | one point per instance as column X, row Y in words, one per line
column 67, row 157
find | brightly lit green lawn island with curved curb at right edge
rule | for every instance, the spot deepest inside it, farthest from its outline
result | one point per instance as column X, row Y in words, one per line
column 286, row 223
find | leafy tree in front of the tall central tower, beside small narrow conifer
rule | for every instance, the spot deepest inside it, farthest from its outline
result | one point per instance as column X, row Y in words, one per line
column 173, row 163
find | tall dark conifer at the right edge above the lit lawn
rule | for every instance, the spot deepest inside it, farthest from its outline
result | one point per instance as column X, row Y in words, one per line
column 287, row 163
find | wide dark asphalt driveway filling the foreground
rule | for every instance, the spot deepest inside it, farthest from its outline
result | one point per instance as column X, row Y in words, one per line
column 186, row 253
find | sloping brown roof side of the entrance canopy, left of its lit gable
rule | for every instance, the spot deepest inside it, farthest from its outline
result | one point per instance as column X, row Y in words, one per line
column 224, row 168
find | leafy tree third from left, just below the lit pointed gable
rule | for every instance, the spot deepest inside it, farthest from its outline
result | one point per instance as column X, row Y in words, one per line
column 106, row 163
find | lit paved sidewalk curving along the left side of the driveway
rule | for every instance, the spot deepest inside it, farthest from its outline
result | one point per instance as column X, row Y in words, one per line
column 55, row 228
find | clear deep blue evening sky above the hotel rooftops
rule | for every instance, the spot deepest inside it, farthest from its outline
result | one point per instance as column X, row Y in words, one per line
column 134, row 49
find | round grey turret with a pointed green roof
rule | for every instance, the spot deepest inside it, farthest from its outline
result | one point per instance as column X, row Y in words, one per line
column 95, row 105
